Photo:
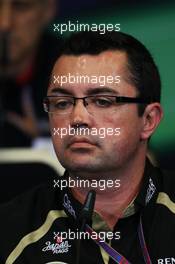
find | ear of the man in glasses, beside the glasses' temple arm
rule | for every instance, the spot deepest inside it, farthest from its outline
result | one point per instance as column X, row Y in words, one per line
column 151, row 118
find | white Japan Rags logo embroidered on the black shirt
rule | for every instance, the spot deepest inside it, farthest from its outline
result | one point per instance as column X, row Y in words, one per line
column 58, row 246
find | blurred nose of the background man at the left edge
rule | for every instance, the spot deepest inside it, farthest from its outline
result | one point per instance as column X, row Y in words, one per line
column 5, row 17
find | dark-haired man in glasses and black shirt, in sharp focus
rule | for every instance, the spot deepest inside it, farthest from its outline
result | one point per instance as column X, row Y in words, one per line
column 133, row 218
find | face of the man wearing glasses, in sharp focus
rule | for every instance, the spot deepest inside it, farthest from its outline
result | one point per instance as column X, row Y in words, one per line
column 99, row 154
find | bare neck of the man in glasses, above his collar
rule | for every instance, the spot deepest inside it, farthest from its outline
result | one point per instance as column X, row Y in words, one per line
column 111, row 202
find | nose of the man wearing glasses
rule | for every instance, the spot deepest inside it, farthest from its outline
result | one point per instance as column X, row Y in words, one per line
column 80, row 115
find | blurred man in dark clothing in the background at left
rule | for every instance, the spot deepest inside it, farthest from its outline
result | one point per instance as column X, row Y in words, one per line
column 25, row 68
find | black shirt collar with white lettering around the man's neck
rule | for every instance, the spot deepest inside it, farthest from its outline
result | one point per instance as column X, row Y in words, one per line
column 147, row 195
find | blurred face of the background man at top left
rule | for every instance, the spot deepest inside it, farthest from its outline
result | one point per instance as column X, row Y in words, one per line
column 24, row 20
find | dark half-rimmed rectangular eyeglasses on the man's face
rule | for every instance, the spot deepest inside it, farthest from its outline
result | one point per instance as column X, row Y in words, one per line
column 95, row 104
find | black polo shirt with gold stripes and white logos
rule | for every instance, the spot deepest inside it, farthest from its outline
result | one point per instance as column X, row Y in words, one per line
column 30, row 226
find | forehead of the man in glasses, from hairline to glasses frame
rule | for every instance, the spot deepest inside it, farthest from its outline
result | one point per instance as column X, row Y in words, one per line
column 106, row 64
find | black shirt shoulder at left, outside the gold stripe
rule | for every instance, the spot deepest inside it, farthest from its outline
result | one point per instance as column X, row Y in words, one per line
column 26, row 213
